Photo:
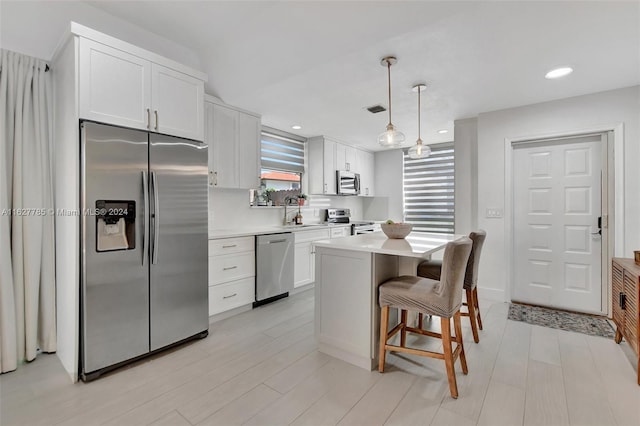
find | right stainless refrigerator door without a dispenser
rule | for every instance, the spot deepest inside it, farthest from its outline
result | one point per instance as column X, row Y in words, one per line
column 179, row 260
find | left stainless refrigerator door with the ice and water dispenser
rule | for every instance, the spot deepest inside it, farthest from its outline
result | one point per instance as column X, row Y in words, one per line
column 115, row 280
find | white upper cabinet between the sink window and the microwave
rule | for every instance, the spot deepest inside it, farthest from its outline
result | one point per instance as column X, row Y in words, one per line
column 321, row 157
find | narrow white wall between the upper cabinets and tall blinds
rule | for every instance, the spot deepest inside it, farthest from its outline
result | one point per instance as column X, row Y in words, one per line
column 388, row 183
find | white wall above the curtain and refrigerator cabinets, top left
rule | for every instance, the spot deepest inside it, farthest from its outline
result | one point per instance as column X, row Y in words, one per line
column 36, row 27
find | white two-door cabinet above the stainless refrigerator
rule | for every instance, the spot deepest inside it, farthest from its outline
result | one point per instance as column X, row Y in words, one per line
column 125, row 89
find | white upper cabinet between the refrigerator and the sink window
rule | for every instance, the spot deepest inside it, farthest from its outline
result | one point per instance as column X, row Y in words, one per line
column 233, row 137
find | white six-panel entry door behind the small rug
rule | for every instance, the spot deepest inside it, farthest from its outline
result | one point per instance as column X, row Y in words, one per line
column 557, row 204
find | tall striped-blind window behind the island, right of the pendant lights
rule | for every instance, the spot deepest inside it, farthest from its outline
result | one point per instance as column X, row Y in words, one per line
column 429, row 190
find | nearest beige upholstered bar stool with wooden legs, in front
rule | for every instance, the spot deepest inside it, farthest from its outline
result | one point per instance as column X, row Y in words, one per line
column 441, row 298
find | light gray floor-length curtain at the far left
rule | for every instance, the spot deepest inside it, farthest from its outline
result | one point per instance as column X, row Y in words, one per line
column 27, row 274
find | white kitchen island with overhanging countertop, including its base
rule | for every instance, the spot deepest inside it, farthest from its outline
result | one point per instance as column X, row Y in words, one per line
column 348, row 273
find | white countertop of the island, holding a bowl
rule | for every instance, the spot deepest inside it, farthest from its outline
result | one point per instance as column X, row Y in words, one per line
column 416, row 244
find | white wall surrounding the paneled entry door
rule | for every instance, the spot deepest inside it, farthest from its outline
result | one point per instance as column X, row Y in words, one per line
column 556, row 117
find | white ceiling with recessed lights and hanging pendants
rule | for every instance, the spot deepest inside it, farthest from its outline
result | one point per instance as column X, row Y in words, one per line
column 317, row 63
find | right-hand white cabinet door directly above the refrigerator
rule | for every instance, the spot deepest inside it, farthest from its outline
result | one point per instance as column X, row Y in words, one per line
column 177, row 103
